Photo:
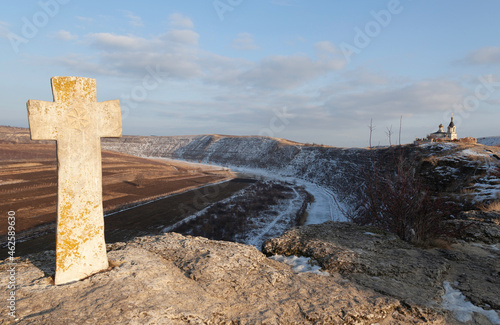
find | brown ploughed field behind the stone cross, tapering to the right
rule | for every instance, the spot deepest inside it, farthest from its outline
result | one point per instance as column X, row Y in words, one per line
column 28, row 182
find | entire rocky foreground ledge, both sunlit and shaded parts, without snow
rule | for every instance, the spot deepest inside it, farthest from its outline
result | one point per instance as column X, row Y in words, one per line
column 373, row 278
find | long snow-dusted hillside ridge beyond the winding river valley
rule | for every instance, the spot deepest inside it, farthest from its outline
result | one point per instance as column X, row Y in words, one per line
column 328, row 167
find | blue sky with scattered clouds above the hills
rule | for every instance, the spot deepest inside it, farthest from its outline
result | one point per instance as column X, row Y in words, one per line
column 308, row 71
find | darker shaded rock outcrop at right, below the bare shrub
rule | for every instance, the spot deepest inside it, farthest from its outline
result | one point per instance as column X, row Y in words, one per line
column 388, row 265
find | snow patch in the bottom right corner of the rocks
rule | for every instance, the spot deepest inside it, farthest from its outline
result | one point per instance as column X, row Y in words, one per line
column 454, row 301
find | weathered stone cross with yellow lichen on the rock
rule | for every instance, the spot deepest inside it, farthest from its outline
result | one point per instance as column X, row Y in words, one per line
column 77, row 122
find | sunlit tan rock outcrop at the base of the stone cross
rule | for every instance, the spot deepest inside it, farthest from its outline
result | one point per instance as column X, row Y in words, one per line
column 172, row 279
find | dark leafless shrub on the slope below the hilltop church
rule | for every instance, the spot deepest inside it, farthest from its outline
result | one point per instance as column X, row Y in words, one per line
column 397, row 200
